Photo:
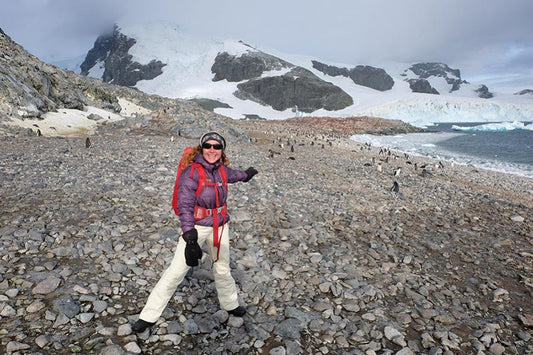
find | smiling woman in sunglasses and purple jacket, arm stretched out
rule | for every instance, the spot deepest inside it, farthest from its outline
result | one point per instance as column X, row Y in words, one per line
column 203, row 217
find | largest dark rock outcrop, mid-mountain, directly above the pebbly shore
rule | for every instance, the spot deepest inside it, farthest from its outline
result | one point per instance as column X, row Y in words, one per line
column 299, row 88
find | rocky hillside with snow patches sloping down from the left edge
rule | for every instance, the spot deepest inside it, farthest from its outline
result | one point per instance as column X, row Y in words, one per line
column 41, row 97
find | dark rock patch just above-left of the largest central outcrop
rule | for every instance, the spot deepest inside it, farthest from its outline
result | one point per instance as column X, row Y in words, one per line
column 247, row 66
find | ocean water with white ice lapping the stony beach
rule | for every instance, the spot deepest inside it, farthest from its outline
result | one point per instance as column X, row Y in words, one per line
column 504, row 146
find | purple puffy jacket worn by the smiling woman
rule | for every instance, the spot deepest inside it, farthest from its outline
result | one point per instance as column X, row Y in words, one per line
column 187, row 193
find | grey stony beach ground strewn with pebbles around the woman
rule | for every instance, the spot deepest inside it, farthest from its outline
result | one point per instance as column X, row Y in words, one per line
column 328, row 258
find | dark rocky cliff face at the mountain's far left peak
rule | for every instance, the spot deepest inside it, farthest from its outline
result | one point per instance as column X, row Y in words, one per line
column 120, row 68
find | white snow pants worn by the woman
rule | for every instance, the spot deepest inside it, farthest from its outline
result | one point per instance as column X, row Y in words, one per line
column 174, row 274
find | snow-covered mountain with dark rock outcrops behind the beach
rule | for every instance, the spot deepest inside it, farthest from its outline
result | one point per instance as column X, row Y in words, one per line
column 241, row 81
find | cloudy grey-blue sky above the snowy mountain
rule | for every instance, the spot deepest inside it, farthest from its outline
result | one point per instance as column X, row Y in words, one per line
column 480, row 37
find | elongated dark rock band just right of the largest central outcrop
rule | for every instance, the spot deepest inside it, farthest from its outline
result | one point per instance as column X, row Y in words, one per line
column 364, row 75
